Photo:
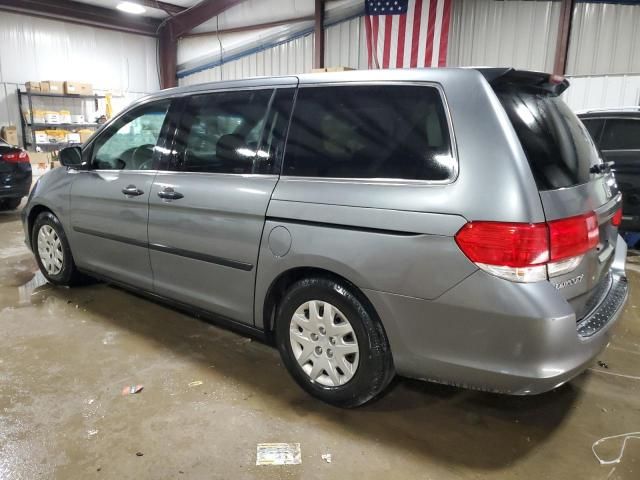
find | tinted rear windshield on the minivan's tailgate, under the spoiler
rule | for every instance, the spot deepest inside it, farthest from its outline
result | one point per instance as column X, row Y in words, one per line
column 558, row 146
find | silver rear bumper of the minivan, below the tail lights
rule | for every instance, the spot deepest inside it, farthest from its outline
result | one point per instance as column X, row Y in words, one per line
column 494, row 335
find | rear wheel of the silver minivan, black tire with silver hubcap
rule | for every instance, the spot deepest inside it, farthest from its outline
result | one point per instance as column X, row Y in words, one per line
column 333, row 346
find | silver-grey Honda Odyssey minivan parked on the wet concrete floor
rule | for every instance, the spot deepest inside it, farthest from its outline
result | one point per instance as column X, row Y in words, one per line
column 451, row 225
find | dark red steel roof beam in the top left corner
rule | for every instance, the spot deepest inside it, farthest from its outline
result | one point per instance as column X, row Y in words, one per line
column 82, row 14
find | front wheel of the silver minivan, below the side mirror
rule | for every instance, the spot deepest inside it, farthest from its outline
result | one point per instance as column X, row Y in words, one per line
column 51, row 248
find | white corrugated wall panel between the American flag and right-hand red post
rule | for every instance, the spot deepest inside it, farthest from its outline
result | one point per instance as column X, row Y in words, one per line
column 516, row 33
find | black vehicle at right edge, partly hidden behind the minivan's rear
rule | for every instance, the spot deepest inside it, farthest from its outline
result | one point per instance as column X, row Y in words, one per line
column 617, row 133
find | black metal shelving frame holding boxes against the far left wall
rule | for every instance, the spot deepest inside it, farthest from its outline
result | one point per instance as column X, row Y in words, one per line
column 29, row 127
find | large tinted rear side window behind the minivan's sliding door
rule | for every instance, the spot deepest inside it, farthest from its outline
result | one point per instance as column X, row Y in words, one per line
column 369, row 132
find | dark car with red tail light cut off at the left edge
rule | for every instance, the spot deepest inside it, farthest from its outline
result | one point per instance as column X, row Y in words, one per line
column 15, row 176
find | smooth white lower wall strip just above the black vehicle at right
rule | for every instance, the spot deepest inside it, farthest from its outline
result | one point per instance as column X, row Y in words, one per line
column 603, row 91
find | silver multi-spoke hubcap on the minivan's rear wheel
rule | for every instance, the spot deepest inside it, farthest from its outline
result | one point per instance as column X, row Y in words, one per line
column 324, row 343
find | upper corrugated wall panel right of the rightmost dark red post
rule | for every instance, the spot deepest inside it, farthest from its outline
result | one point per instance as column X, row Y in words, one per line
column 605, row 39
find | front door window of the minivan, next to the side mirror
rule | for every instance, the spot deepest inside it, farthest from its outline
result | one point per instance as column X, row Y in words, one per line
column 129, row 143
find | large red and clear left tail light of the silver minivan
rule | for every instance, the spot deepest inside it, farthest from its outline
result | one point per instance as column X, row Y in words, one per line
column 529, row 252
